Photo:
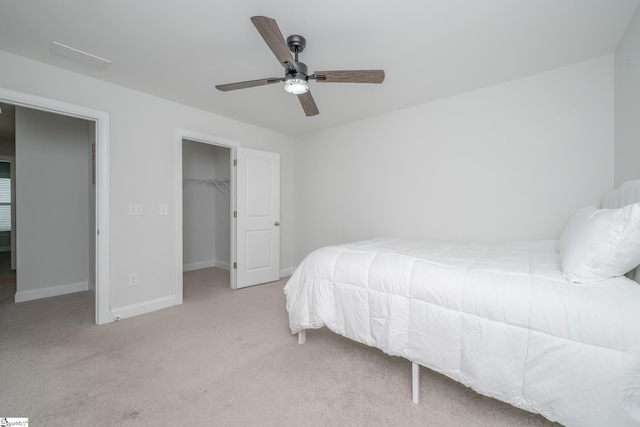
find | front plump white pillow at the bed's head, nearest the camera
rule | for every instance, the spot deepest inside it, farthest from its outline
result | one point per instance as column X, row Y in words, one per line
column 605, row 244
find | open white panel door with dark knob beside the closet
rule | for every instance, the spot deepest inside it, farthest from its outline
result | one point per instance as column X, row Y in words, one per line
column 257, row 217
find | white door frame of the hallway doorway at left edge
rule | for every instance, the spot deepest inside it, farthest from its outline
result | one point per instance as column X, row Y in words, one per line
column 101, row 118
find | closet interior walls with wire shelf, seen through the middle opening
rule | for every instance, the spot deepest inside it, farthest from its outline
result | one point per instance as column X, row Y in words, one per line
column 206, row 205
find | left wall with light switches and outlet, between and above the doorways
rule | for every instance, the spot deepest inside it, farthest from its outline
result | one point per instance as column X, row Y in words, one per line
column 142, row 132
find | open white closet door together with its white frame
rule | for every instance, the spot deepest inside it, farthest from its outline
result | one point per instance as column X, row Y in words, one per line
column 254, row 196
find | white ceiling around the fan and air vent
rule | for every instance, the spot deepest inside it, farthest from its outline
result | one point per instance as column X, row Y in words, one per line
column 429, row 49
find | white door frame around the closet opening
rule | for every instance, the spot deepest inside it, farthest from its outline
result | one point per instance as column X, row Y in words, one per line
column 212, row 140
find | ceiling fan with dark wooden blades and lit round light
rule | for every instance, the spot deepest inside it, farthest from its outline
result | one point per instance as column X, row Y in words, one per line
column 296, row 77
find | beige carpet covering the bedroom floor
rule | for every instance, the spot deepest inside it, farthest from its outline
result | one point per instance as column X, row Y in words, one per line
column 223, row 358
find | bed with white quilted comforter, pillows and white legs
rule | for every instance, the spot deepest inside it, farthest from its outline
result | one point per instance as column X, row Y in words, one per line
column 552, row 327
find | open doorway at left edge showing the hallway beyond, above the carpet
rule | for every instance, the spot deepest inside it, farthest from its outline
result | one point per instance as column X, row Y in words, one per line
column 56, row 213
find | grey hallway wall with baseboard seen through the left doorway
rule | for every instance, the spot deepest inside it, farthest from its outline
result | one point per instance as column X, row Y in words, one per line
column 52, row 197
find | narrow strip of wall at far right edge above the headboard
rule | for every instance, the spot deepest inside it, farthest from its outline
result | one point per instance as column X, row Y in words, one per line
column 627, row 104
